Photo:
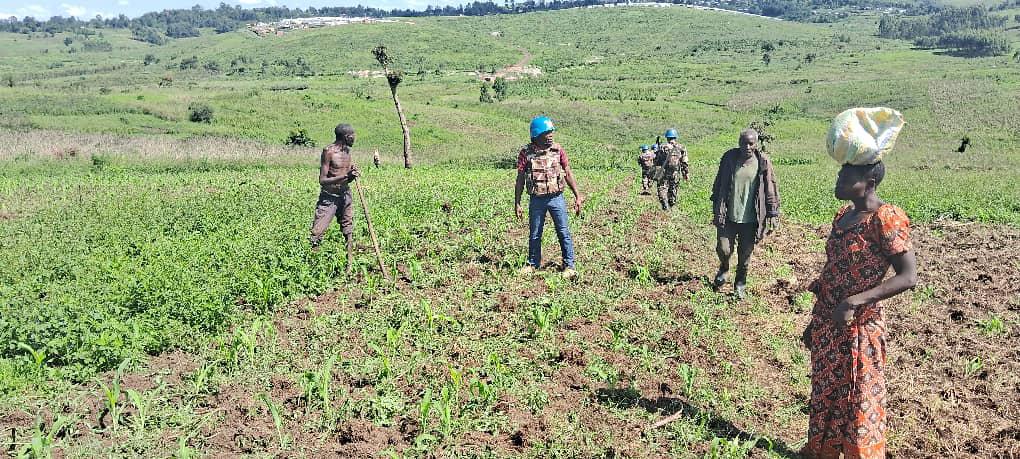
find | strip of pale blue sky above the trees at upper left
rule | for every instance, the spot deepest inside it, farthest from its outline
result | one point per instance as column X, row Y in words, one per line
column 43, row 10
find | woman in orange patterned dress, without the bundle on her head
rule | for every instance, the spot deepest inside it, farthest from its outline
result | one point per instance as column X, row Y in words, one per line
column 847, row 334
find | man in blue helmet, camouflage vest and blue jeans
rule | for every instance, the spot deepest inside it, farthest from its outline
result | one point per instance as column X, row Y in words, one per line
column 544, row 170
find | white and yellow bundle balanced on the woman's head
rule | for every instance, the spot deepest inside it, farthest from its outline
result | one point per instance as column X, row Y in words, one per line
column 862, row 136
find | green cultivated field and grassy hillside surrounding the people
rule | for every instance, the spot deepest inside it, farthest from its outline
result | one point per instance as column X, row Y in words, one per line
column 159, row 298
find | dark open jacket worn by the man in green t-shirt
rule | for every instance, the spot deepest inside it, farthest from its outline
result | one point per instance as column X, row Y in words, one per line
column 768, row 200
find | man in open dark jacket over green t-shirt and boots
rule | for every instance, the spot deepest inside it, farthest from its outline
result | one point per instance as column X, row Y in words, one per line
column 745, row 205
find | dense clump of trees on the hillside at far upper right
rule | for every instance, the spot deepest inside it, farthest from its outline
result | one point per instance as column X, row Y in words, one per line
column 970, row 31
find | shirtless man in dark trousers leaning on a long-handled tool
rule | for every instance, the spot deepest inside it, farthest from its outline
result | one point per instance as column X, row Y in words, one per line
column 337, row 171
